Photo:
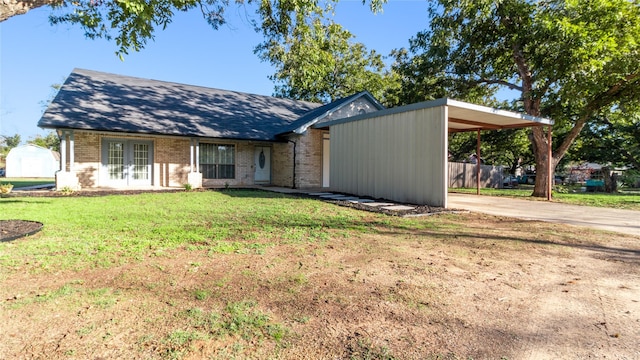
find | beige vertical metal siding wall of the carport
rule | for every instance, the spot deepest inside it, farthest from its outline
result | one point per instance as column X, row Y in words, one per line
column 400, row 157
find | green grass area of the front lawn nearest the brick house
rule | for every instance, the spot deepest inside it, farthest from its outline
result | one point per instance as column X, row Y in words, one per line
column 100, row 232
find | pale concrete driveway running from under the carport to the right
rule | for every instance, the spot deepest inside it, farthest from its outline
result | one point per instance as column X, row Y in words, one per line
column 624, row 221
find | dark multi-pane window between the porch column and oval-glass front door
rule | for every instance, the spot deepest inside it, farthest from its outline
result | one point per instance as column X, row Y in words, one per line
column 217, row 161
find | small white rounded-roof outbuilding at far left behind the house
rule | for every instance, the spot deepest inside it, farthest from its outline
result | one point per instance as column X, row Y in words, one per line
column 32, row 161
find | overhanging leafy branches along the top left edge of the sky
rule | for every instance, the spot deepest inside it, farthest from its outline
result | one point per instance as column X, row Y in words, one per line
column 133, row 22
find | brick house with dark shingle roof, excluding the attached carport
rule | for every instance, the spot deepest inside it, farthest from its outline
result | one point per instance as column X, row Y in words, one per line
column 125, row 132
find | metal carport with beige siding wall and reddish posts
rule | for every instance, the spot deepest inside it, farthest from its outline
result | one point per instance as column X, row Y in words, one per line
column 401, row 154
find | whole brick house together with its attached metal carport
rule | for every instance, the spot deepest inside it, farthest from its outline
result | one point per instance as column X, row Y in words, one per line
column 124, row 132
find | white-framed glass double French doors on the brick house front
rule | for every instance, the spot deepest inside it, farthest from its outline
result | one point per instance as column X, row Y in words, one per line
column 126, row 162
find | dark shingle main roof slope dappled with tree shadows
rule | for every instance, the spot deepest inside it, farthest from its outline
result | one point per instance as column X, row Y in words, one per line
column 91, row 100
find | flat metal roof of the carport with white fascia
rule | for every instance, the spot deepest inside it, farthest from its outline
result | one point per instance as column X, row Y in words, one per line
column 463, row 116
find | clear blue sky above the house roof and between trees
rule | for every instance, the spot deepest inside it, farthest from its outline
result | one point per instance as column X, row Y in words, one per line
column 34, row 55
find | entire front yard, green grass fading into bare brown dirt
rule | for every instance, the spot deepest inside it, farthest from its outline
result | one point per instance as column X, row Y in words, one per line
column 242, row 274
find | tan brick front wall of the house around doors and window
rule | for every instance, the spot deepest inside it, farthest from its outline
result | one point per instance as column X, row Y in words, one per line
column 171, row 160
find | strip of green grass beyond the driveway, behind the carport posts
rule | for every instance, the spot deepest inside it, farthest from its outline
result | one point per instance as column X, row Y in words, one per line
column 622, row 200
